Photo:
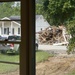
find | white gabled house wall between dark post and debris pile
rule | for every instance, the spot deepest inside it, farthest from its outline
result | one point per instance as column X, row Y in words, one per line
column 41, row 23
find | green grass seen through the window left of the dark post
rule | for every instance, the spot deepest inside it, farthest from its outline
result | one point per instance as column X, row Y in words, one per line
column 8, row 67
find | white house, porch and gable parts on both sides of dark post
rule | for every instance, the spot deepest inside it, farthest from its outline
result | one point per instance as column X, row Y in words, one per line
column 13, row 27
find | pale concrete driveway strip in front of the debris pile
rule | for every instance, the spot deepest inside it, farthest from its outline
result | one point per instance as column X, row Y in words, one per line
column 53, row 48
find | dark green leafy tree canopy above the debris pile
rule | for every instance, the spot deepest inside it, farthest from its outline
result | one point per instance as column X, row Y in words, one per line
column 61, row 11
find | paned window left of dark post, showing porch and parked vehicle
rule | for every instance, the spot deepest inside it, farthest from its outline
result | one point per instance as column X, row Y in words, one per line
column 7, row 23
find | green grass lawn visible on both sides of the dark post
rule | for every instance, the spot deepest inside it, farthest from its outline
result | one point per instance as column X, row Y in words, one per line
column 4, row 68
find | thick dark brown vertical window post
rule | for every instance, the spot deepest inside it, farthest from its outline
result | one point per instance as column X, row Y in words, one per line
column 27, row 53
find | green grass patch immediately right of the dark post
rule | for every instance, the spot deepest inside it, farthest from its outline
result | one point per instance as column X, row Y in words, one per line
column 42, row 56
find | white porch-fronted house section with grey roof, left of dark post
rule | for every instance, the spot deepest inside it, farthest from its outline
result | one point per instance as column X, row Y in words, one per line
column 10, row 27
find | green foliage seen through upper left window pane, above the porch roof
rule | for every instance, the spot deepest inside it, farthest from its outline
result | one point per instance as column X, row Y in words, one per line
column 8, row 9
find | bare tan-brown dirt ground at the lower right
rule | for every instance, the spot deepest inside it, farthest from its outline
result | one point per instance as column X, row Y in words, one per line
column 58, row 65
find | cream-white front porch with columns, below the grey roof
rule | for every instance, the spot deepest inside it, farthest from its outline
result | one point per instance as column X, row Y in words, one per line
column 9, row 28
